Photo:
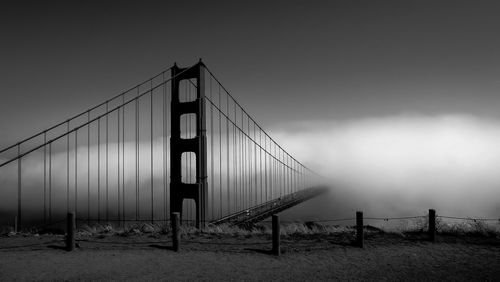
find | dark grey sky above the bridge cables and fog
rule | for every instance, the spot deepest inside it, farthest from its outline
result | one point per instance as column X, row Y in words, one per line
column 284, row 61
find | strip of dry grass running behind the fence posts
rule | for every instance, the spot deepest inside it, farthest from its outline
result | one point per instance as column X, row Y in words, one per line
column 475, row 227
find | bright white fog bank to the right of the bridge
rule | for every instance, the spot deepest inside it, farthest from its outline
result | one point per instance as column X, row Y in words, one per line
column 401, row 165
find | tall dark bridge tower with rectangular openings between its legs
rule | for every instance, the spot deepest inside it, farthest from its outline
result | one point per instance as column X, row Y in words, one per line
column 198, row 145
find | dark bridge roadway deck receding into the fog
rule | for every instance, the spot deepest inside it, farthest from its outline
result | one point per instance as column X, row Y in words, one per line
column 267, row 209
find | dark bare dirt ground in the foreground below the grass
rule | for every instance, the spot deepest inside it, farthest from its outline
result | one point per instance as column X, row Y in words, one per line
column 227, row 257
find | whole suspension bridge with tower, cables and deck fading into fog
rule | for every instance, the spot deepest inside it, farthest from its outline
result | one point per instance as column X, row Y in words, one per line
column 177, row 142
